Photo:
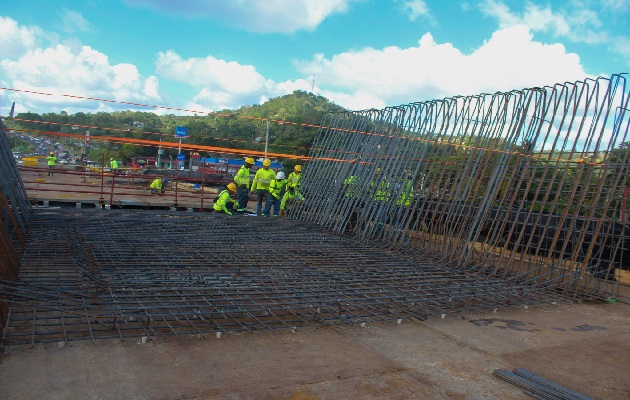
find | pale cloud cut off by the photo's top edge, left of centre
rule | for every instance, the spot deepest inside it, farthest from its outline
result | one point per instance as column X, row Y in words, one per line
column 264, row 16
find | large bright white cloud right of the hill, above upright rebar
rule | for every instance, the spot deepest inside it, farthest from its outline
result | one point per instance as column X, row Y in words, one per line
column 509, row 60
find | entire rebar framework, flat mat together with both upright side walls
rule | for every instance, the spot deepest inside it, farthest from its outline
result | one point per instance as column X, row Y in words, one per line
column 427, row 209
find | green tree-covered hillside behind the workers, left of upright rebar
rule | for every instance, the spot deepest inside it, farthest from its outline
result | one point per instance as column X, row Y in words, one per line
column 244, row 128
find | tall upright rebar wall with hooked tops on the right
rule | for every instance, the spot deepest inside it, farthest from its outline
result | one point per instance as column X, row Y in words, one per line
column 529, row 184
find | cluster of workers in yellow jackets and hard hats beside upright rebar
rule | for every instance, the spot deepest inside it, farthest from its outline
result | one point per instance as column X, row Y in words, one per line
column 267, row 184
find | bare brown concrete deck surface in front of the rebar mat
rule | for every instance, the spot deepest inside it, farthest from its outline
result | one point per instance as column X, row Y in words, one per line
column 585, row 347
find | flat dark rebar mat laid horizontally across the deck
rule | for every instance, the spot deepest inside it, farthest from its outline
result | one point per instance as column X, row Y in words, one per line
column 91, row 274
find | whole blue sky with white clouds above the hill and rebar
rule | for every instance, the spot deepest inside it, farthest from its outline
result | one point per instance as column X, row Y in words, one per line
column 209, row 55
